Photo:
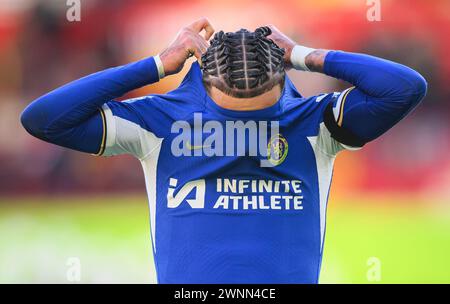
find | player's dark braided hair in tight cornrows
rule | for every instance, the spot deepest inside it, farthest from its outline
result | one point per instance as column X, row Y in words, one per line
column 243, row 64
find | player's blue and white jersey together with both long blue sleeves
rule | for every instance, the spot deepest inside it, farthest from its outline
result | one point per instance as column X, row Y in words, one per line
column 227, row 219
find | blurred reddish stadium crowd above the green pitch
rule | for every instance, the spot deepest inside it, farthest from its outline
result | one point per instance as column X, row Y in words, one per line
column 41, row 50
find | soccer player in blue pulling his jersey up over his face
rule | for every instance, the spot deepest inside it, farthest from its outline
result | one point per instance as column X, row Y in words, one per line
column 237, row 163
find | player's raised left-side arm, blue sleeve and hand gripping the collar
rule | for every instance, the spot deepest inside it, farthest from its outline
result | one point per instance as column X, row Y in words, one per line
column 71, row 116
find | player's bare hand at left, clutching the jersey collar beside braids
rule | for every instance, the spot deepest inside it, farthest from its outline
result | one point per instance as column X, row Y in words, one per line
column 188, row 42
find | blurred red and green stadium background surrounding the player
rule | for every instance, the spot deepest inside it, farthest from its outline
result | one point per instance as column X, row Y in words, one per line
column 389, row 209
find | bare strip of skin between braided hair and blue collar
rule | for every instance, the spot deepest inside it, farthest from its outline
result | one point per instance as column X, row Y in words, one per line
column 259, row 102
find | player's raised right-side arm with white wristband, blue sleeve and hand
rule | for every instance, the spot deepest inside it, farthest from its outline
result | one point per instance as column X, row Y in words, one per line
column 384, row 91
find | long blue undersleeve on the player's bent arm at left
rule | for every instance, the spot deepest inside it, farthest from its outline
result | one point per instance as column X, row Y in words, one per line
column 71, row 116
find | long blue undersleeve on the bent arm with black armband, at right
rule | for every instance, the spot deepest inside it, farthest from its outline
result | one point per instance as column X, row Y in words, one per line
column 384, row 92
